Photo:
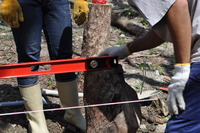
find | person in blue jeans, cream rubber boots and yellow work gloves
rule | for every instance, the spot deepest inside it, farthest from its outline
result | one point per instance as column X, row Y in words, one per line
column 28, row 18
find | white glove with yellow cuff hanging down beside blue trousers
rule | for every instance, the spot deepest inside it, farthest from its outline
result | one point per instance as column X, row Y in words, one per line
column 175, row 98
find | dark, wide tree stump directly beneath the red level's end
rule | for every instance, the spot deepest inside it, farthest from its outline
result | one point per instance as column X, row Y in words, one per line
column 108, row 86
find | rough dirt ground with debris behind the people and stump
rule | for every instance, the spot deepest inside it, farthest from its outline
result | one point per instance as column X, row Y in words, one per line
column 148, row 70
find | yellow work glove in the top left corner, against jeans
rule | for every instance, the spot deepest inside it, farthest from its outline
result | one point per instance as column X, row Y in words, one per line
column 11, row 13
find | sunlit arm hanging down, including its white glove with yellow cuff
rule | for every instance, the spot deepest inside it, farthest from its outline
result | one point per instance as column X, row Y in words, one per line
column 178, row 20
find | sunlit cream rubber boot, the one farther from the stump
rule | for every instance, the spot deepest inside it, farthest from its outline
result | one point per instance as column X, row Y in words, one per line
column 32, row 97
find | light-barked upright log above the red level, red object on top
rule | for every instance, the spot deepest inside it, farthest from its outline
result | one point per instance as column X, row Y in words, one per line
column 97, row 30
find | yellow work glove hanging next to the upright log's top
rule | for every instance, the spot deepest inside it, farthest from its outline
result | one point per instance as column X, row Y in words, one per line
column 80, row 13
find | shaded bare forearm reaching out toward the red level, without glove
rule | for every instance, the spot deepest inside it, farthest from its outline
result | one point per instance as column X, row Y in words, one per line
column 148, row 41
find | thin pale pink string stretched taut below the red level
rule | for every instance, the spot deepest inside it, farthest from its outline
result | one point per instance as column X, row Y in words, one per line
column 77, row 107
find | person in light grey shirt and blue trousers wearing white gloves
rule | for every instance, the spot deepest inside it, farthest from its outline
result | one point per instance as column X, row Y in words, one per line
column 177, row 21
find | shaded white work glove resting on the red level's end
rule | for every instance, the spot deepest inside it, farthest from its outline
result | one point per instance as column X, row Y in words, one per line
column 120, row 51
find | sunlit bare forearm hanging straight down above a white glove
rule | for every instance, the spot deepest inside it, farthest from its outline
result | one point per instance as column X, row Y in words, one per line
column 178, row 20
